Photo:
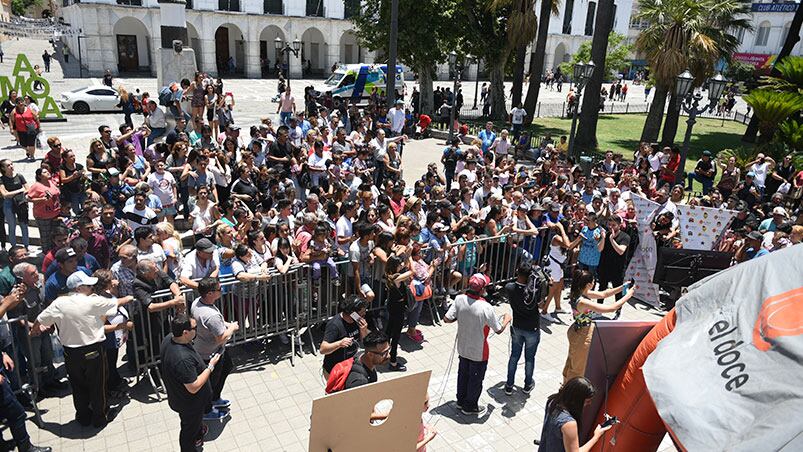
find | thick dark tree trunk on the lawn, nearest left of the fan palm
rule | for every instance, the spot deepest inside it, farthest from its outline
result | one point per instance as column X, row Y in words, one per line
column 586, row 138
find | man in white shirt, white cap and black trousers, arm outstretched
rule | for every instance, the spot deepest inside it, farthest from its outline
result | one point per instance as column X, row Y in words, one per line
column 79, row 317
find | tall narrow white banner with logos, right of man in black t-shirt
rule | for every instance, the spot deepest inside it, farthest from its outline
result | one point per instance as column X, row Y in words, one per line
column 642, row 266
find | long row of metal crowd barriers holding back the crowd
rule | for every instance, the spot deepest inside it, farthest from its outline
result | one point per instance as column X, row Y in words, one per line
column 293, row 302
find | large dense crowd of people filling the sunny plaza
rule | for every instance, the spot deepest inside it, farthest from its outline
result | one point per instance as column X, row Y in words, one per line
column 324, row 189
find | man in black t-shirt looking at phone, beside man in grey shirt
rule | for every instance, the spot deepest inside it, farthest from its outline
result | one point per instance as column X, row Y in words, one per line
column 186, row 379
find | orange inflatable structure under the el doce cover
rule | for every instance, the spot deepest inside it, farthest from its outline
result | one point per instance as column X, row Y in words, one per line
column 641, row 428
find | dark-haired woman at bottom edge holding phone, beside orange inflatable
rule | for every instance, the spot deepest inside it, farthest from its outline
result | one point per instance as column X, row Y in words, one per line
column 564, row 410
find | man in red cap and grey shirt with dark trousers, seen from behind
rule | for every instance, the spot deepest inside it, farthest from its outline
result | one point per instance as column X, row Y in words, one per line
column 476, row 319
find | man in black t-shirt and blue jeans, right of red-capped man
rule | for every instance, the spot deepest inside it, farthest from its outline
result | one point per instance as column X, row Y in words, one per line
column 525, row 333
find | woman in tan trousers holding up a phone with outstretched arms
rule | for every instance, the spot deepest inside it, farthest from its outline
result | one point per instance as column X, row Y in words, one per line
column 585, row 311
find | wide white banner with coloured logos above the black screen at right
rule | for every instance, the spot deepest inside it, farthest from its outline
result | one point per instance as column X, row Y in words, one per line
column 701, row 227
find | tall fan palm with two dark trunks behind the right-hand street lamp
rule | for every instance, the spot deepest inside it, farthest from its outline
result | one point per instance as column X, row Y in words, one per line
column 682, row 34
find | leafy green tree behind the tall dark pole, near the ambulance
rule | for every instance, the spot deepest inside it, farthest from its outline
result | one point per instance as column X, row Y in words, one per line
column 421, row 46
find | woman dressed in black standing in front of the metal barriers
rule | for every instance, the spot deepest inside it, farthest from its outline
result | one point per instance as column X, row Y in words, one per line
column 397, row 276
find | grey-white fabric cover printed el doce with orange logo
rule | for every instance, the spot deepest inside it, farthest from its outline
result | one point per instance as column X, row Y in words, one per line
column 728, row 377
